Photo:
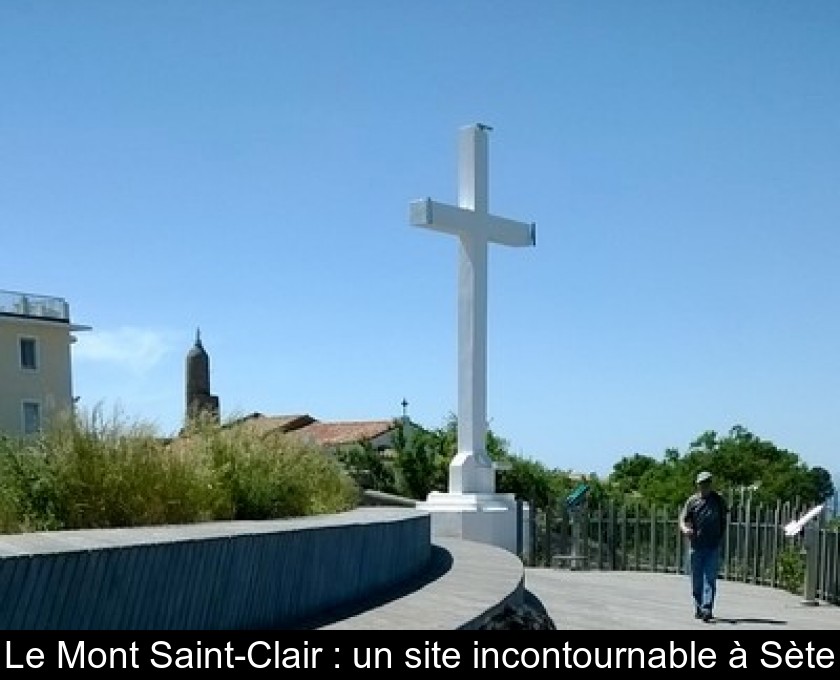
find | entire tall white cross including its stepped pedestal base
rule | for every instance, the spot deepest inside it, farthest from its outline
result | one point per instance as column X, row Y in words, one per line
column 471, row 509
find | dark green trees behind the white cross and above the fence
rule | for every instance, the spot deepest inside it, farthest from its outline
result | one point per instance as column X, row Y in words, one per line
column 743, row 464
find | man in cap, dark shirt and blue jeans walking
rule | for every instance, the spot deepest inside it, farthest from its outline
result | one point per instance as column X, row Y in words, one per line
column 703, row 519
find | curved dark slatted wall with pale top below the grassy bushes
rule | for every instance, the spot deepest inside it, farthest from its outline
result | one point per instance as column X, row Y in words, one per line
column 220, row 575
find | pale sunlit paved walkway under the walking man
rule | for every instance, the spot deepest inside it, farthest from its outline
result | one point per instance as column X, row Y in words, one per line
column 622, row 600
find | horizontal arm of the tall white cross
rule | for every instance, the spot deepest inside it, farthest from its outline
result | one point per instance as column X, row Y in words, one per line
column 461, row 221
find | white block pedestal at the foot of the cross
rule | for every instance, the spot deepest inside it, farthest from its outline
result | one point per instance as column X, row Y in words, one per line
column 485, row 518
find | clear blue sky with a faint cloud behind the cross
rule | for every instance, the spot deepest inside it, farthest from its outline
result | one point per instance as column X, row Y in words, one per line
column 246, row 167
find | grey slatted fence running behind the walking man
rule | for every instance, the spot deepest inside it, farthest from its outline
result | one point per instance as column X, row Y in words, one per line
column 639, row 537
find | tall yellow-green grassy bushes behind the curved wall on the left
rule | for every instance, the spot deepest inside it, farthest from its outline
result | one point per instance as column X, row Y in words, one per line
column 88, row 472
